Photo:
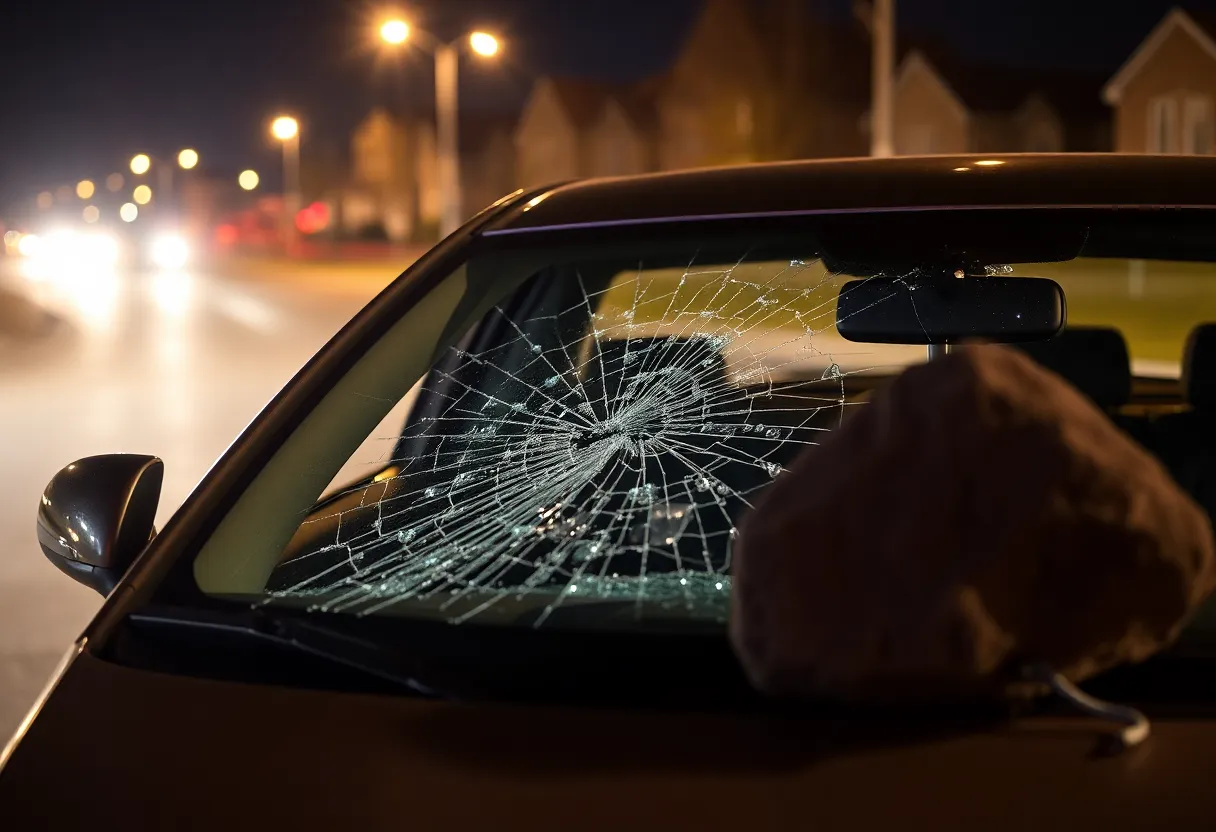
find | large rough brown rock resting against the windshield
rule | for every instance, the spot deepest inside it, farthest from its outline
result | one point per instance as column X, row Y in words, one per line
column 978, row 514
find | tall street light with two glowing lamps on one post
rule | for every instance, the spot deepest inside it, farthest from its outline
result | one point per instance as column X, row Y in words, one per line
column 397, row 32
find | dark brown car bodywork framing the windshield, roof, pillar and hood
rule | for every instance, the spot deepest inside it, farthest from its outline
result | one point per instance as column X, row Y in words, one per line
column 160, row 740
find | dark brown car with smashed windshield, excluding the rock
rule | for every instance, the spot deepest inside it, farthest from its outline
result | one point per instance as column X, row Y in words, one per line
column 471, row 569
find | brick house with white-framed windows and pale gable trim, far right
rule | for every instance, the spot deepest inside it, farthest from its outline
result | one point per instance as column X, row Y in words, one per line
column 1163, row 95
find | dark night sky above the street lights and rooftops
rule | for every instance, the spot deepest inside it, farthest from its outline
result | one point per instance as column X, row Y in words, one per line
column 86, row 86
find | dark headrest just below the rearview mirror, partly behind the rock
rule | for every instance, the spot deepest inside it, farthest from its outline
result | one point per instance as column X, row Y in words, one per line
column 1094, row 359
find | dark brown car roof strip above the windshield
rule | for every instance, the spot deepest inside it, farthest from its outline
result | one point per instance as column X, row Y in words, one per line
column 1074, row 181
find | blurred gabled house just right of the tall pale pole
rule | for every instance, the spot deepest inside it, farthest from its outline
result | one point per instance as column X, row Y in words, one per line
column 944, row 105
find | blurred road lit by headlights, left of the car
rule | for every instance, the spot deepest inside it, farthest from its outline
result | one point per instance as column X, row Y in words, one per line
column 172, row 364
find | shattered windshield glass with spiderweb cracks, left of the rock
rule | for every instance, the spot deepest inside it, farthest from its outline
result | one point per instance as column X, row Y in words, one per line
column 590, row 447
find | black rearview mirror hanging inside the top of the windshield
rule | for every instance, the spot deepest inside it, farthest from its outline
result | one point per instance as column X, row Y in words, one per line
column 890, row 311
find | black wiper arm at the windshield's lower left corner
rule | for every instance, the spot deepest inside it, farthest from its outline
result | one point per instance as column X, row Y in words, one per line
column 284, row 632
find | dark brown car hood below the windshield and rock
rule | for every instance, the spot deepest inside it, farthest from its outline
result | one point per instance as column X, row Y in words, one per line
column 121, row 749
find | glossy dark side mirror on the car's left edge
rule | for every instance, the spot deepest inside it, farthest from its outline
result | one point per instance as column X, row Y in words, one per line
column 98, row 515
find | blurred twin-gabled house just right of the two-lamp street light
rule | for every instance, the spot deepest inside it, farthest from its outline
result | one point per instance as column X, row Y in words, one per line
column 572, row 130
